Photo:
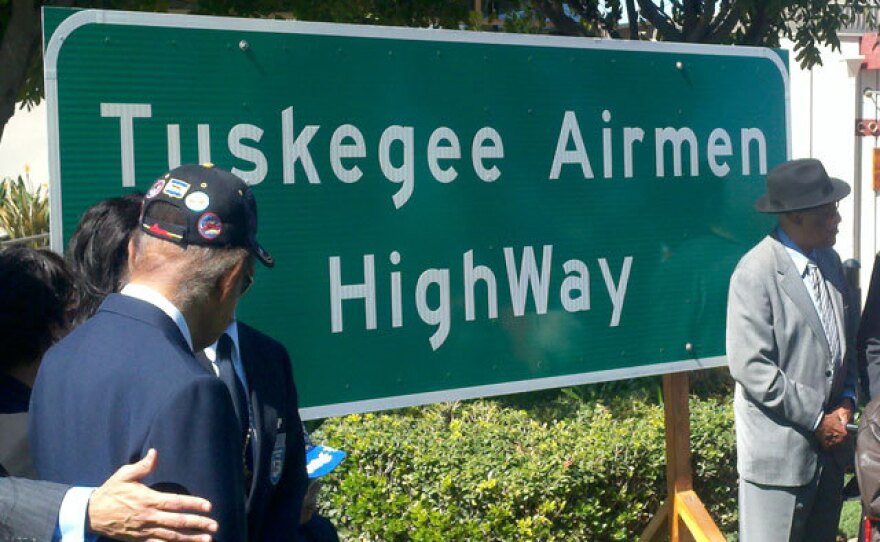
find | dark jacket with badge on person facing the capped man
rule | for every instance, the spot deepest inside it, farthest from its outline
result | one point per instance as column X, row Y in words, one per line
column 280, row 479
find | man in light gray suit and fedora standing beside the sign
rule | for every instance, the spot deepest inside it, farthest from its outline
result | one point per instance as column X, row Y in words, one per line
column 789, row 324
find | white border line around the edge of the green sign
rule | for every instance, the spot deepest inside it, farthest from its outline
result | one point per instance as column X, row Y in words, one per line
column 87, row 17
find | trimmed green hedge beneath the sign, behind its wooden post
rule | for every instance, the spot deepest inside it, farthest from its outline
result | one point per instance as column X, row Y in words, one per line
column 483, row 471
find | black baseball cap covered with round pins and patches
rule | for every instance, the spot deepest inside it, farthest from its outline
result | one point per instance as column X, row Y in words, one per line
column 199, row 204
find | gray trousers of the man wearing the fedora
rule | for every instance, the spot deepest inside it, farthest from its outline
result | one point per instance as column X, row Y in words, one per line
column 809, row 513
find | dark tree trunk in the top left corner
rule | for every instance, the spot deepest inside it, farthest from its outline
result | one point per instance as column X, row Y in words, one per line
column 21, row 42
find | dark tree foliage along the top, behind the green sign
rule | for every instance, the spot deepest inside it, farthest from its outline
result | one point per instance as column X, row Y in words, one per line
column 810, row 24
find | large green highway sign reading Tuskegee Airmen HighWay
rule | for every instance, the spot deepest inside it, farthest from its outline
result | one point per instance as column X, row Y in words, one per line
column 453, row 214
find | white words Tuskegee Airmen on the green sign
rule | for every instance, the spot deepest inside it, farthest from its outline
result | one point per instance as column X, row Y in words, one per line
column 348, row 150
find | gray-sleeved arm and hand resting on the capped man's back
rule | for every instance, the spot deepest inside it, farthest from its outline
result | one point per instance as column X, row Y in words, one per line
column 122, row 509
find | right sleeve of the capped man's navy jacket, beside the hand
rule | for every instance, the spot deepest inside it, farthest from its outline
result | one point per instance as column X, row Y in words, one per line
column 197, row 438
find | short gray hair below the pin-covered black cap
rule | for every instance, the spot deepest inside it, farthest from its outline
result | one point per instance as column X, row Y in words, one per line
column 197, row 268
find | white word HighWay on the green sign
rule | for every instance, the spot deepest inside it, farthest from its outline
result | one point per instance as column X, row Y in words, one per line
column 525, row 279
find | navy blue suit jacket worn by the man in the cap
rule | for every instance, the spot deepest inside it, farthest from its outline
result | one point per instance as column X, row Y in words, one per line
column 126, row 381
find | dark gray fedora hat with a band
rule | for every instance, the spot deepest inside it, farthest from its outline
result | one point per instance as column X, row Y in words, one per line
column 800, row 184
